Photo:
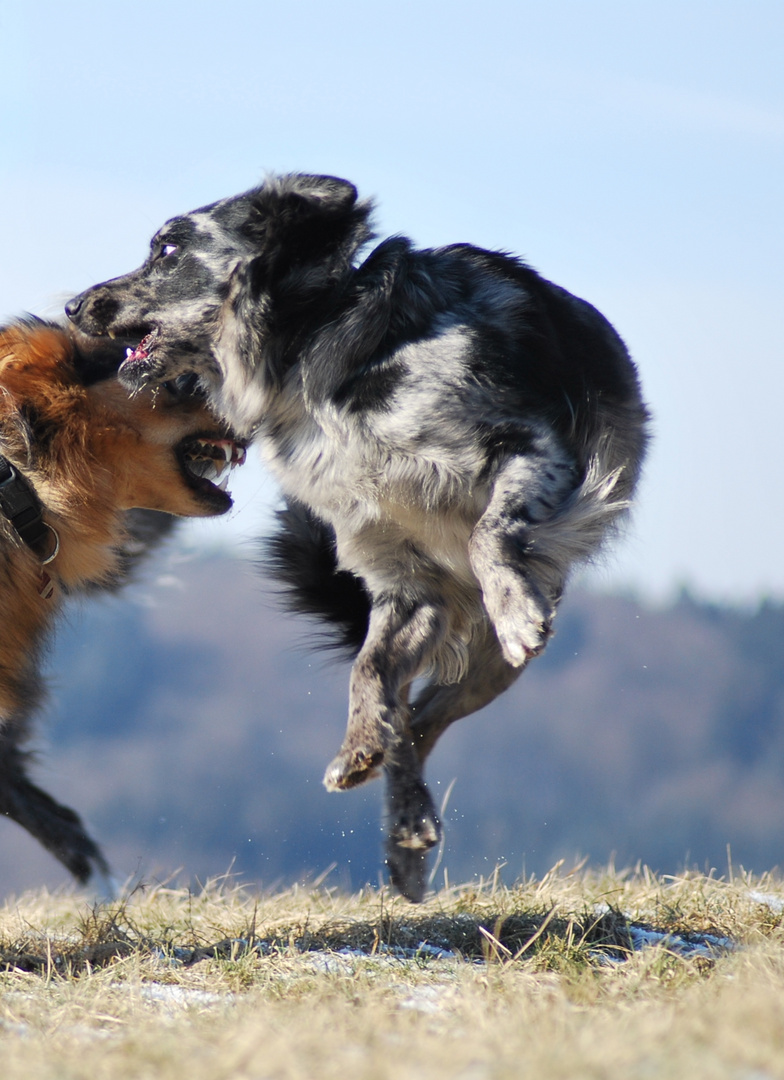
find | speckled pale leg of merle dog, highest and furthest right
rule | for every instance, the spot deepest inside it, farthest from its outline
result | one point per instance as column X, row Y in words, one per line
column 518, row 560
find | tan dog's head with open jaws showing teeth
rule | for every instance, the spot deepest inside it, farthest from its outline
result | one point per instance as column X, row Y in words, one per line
column 86, row 445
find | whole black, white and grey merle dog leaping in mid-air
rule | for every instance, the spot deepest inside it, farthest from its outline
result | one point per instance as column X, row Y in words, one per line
column 454, row 435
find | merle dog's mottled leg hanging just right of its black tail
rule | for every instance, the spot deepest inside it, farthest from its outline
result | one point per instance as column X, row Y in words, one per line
column 401, row 640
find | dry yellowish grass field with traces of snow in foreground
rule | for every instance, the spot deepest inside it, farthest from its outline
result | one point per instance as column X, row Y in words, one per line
column 580, row 975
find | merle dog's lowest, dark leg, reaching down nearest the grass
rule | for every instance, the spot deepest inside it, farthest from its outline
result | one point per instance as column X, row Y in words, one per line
column 413, row 825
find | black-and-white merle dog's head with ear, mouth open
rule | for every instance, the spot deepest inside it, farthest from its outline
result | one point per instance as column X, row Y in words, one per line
column 217, row 279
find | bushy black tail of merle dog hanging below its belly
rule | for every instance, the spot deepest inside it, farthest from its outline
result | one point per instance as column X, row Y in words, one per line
column 302, row 560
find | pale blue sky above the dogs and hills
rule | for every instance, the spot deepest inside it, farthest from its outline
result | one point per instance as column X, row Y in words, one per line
column 633, row 153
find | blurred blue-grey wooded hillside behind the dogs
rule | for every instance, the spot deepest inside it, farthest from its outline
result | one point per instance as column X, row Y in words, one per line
column 191, row 723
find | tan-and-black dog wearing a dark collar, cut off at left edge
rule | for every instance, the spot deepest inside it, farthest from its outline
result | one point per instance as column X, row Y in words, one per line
column 76, row 454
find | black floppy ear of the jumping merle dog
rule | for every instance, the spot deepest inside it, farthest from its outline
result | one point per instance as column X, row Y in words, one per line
column 302, row 220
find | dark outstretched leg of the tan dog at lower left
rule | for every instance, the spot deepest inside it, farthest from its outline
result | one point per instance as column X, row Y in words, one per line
column 58, row 828
